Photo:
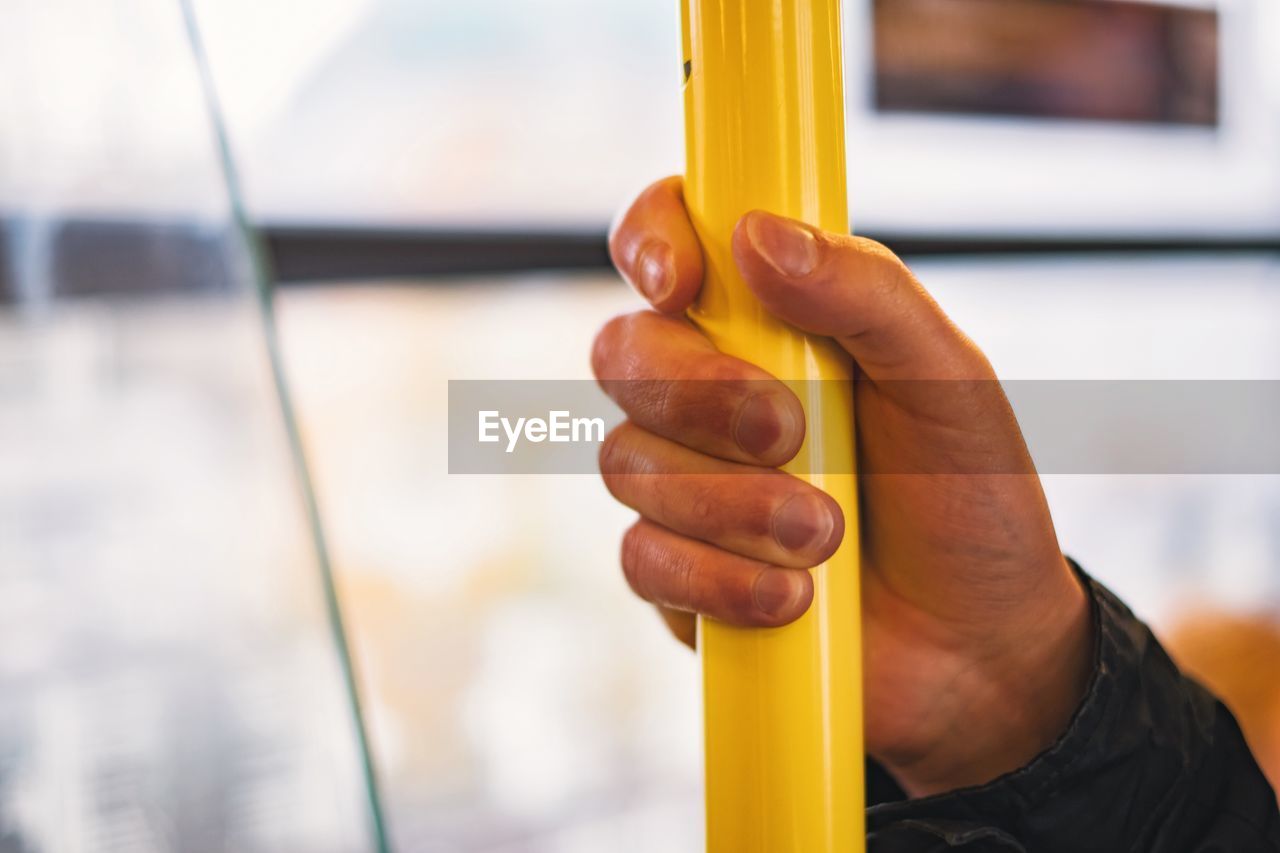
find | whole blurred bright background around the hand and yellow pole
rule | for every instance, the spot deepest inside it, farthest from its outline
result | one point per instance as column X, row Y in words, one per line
column 1090, row 188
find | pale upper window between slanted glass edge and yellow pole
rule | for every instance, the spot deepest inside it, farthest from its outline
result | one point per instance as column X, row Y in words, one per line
column 496, row 113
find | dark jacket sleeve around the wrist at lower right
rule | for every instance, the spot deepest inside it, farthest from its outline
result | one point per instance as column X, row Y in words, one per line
column 1151, row 763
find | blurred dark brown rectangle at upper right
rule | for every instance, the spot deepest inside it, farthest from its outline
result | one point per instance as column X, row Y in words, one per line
column 1072, row 60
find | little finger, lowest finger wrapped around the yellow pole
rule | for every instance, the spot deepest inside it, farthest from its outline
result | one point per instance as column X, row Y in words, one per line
column 682, row 574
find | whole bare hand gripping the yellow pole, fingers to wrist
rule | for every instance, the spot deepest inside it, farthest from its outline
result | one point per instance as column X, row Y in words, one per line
column 976, row 630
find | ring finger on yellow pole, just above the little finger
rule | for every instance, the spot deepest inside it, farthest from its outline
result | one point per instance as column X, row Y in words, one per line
column 761, row 514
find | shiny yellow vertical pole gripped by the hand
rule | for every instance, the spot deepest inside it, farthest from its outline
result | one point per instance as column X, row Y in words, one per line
column 783, row 708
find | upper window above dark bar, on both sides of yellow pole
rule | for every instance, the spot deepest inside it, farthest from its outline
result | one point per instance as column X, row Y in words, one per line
column 550, row 113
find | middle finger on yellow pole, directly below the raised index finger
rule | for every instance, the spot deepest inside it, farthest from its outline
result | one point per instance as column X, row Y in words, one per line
column 673, row 382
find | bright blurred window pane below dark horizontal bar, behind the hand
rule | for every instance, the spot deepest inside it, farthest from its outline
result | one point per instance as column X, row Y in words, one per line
column 524, row 700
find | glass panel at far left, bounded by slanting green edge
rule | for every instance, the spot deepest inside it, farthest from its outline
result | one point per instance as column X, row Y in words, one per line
column 168, row 674
